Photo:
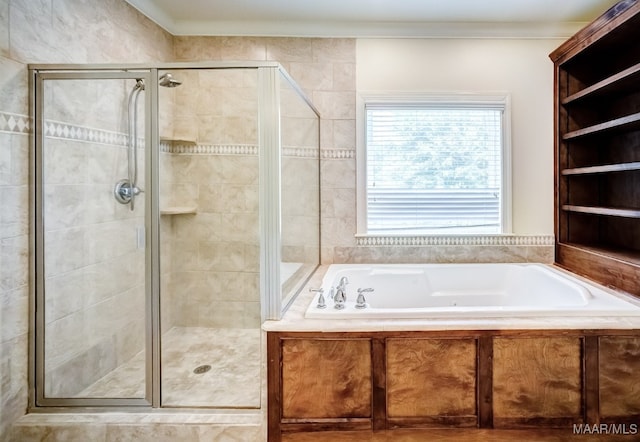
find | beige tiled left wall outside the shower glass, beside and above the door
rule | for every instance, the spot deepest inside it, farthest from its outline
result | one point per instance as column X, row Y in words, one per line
column 43, row 31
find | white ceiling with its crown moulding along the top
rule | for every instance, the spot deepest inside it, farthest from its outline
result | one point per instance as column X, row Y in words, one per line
column 374, row 18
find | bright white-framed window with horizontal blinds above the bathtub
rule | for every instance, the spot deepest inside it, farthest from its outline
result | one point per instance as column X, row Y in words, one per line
column 435, row 167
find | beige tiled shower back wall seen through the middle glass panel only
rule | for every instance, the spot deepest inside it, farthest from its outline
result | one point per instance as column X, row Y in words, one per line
column 210, row 164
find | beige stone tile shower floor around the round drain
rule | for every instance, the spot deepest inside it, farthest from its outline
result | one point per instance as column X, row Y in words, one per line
column 233, row 379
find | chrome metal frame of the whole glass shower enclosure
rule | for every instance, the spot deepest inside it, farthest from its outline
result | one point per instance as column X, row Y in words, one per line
column 270, row 152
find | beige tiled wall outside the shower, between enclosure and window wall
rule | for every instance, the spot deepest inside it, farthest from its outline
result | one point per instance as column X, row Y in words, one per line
column 325, row 69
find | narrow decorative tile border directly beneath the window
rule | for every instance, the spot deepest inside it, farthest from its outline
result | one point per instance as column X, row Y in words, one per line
column 458, row 240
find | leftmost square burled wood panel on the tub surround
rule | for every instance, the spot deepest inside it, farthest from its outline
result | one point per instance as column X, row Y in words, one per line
column 326, row 378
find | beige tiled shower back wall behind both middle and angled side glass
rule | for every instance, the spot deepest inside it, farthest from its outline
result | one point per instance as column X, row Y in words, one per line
column 210, row 164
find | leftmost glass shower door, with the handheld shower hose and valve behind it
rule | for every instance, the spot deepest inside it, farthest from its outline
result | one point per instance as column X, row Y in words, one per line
column 92, row 227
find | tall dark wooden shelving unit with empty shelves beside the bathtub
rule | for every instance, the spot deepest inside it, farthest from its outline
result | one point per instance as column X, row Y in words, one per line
column 597, row 149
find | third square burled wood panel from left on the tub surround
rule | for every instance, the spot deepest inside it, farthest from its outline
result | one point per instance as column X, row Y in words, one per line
column 536, row 379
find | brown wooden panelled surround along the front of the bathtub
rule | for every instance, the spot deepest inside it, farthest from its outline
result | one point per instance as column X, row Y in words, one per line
column 504, row 379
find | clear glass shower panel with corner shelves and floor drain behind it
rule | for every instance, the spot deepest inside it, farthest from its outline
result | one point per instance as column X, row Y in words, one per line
column 209, row 234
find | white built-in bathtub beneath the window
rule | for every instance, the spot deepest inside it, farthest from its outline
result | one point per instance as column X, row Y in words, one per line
column 423, row 291
